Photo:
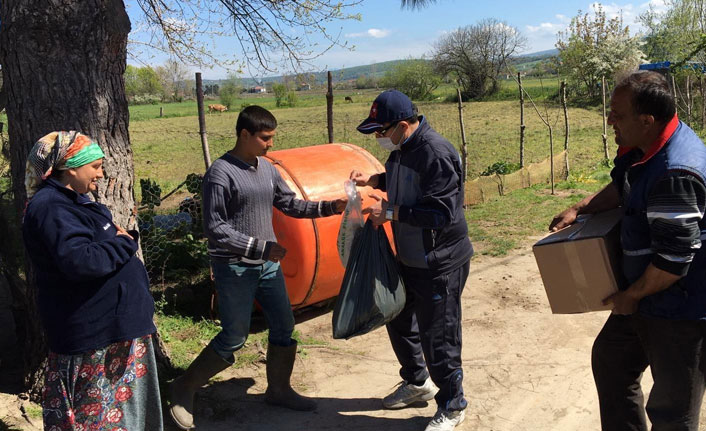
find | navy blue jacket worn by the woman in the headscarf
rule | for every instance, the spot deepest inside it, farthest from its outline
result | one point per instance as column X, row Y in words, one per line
column 92, row 289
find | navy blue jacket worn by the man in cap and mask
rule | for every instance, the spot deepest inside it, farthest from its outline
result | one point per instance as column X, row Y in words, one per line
column 424, row 177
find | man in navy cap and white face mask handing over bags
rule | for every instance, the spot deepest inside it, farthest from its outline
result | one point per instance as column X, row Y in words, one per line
column 424, row 184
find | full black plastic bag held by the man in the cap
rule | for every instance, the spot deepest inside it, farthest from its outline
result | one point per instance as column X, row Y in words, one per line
column 372, row 292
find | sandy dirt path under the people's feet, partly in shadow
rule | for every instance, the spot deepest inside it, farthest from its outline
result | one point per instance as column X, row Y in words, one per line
column 525, row 369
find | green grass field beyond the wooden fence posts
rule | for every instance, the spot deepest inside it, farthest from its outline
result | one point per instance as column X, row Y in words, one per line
column 166, row 149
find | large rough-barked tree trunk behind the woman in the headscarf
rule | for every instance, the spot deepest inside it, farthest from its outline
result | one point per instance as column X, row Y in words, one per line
column 63, row 63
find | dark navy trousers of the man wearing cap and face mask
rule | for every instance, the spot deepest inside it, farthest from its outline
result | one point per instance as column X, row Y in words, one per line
column 426, row 336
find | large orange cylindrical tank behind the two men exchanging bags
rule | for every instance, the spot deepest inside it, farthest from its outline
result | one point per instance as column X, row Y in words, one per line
column 311, row 267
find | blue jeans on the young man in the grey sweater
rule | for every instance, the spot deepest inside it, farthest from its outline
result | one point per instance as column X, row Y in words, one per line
column 238, row 286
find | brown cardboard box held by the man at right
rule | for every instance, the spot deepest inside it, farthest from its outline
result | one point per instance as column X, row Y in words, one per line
column 581, row 264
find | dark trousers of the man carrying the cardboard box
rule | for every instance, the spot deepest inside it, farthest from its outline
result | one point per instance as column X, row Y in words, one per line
column 674, row 350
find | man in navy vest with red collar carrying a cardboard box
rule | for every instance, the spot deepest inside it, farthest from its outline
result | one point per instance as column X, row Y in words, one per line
column 659, row 320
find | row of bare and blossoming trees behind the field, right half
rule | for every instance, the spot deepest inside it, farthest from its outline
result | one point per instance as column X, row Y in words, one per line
column 592, row 47
